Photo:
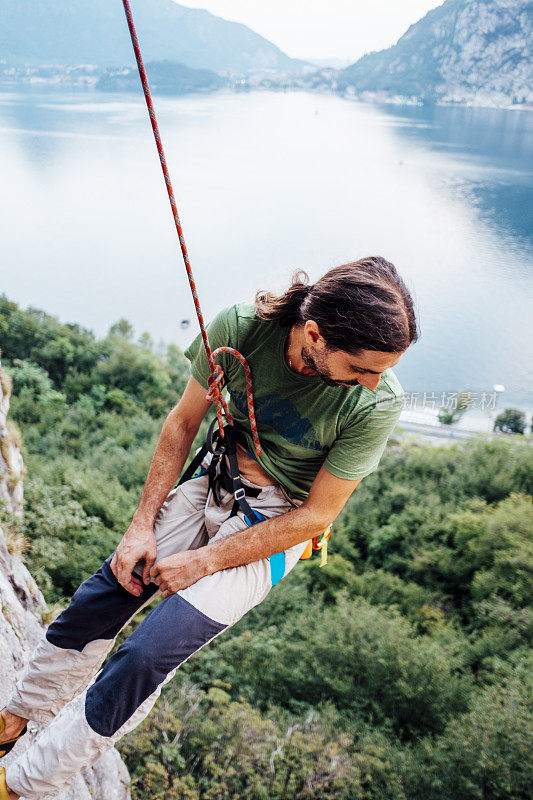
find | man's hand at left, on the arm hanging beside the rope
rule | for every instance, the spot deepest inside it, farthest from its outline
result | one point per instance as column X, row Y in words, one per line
column 137, row 543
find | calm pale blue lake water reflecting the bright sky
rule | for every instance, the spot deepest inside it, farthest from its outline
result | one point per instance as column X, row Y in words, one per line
column 266, row 183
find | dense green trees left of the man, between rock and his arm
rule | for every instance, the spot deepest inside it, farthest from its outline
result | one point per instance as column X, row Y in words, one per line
column 90, row 411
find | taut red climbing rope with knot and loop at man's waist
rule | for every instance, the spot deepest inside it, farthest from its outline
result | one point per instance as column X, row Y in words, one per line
column 216, row 378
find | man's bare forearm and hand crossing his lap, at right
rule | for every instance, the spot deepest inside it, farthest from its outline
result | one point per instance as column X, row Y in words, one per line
column 326, row 499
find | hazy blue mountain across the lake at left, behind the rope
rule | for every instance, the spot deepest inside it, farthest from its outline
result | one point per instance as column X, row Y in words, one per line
column 72, row 32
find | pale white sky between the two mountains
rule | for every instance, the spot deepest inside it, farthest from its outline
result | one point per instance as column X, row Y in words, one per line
column 323, row 29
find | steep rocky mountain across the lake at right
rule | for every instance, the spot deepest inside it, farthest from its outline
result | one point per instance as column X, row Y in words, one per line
column 467, row 51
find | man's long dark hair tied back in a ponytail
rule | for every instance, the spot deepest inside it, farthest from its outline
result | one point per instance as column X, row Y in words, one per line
column 364, row 305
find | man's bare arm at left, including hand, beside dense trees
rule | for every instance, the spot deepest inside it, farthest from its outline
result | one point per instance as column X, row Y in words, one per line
column 173, row 446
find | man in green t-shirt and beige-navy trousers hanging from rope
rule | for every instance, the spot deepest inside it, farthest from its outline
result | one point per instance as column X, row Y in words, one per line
column 326, row 401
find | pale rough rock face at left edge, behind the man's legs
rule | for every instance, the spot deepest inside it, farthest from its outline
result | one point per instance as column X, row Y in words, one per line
column 22, row 607
